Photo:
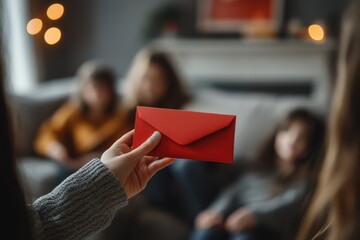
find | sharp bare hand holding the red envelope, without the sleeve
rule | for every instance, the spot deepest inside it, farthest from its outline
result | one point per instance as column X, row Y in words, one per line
column 131, row 166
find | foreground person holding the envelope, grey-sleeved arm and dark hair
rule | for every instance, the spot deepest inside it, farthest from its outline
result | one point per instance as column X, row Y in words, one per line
column 86, row 201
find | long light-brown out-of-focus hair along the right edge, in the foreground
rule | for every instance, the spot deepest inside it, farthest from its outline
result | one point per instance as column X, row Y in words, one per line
column 334, row 208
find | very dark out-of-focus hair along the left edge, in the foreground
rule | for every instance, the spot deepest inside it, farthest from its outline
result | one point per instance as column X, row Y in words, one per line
column 17, row 223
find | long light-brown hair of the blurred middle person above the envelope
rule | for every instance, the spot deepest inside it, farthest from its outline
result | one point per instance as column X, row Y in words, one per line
column 175, row 97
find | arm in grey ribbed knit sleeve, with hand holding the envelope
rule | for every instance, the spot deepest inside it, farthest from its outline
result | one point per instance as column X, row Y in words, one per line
column 87, row 200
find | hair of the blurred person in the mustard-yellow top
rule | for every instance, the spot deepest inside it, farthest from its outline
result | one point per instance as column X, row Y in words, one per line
column 100, row 74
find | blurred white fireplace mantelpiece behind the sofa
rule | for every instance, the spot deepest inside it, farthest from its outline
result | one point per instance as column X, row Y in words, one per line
column 253, row 60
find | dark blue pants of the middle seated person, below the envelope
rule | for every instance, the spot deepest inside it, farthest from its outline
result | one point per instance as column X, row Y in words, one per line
column 186, row 187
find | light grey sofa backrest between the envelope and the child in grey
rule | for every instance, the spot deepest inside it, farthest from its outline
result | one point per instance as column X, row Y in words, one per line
column 257, row 114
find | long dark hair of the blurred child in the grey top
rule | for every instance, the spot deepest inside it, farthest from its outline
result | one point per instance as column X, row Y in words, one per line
column 266, row 157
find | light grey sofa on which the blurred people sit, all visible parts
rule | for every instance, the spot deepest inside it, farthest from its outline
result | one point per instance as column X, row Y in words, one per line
column 257, row 114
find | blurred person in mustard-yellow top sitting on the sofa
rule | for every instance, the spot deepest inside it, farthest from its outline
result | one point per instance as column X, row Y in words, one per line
column 88, row 123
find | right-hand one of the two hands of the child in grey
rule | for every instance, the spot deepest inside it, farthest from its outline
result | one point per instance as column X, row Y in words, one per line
column 241, row 219
